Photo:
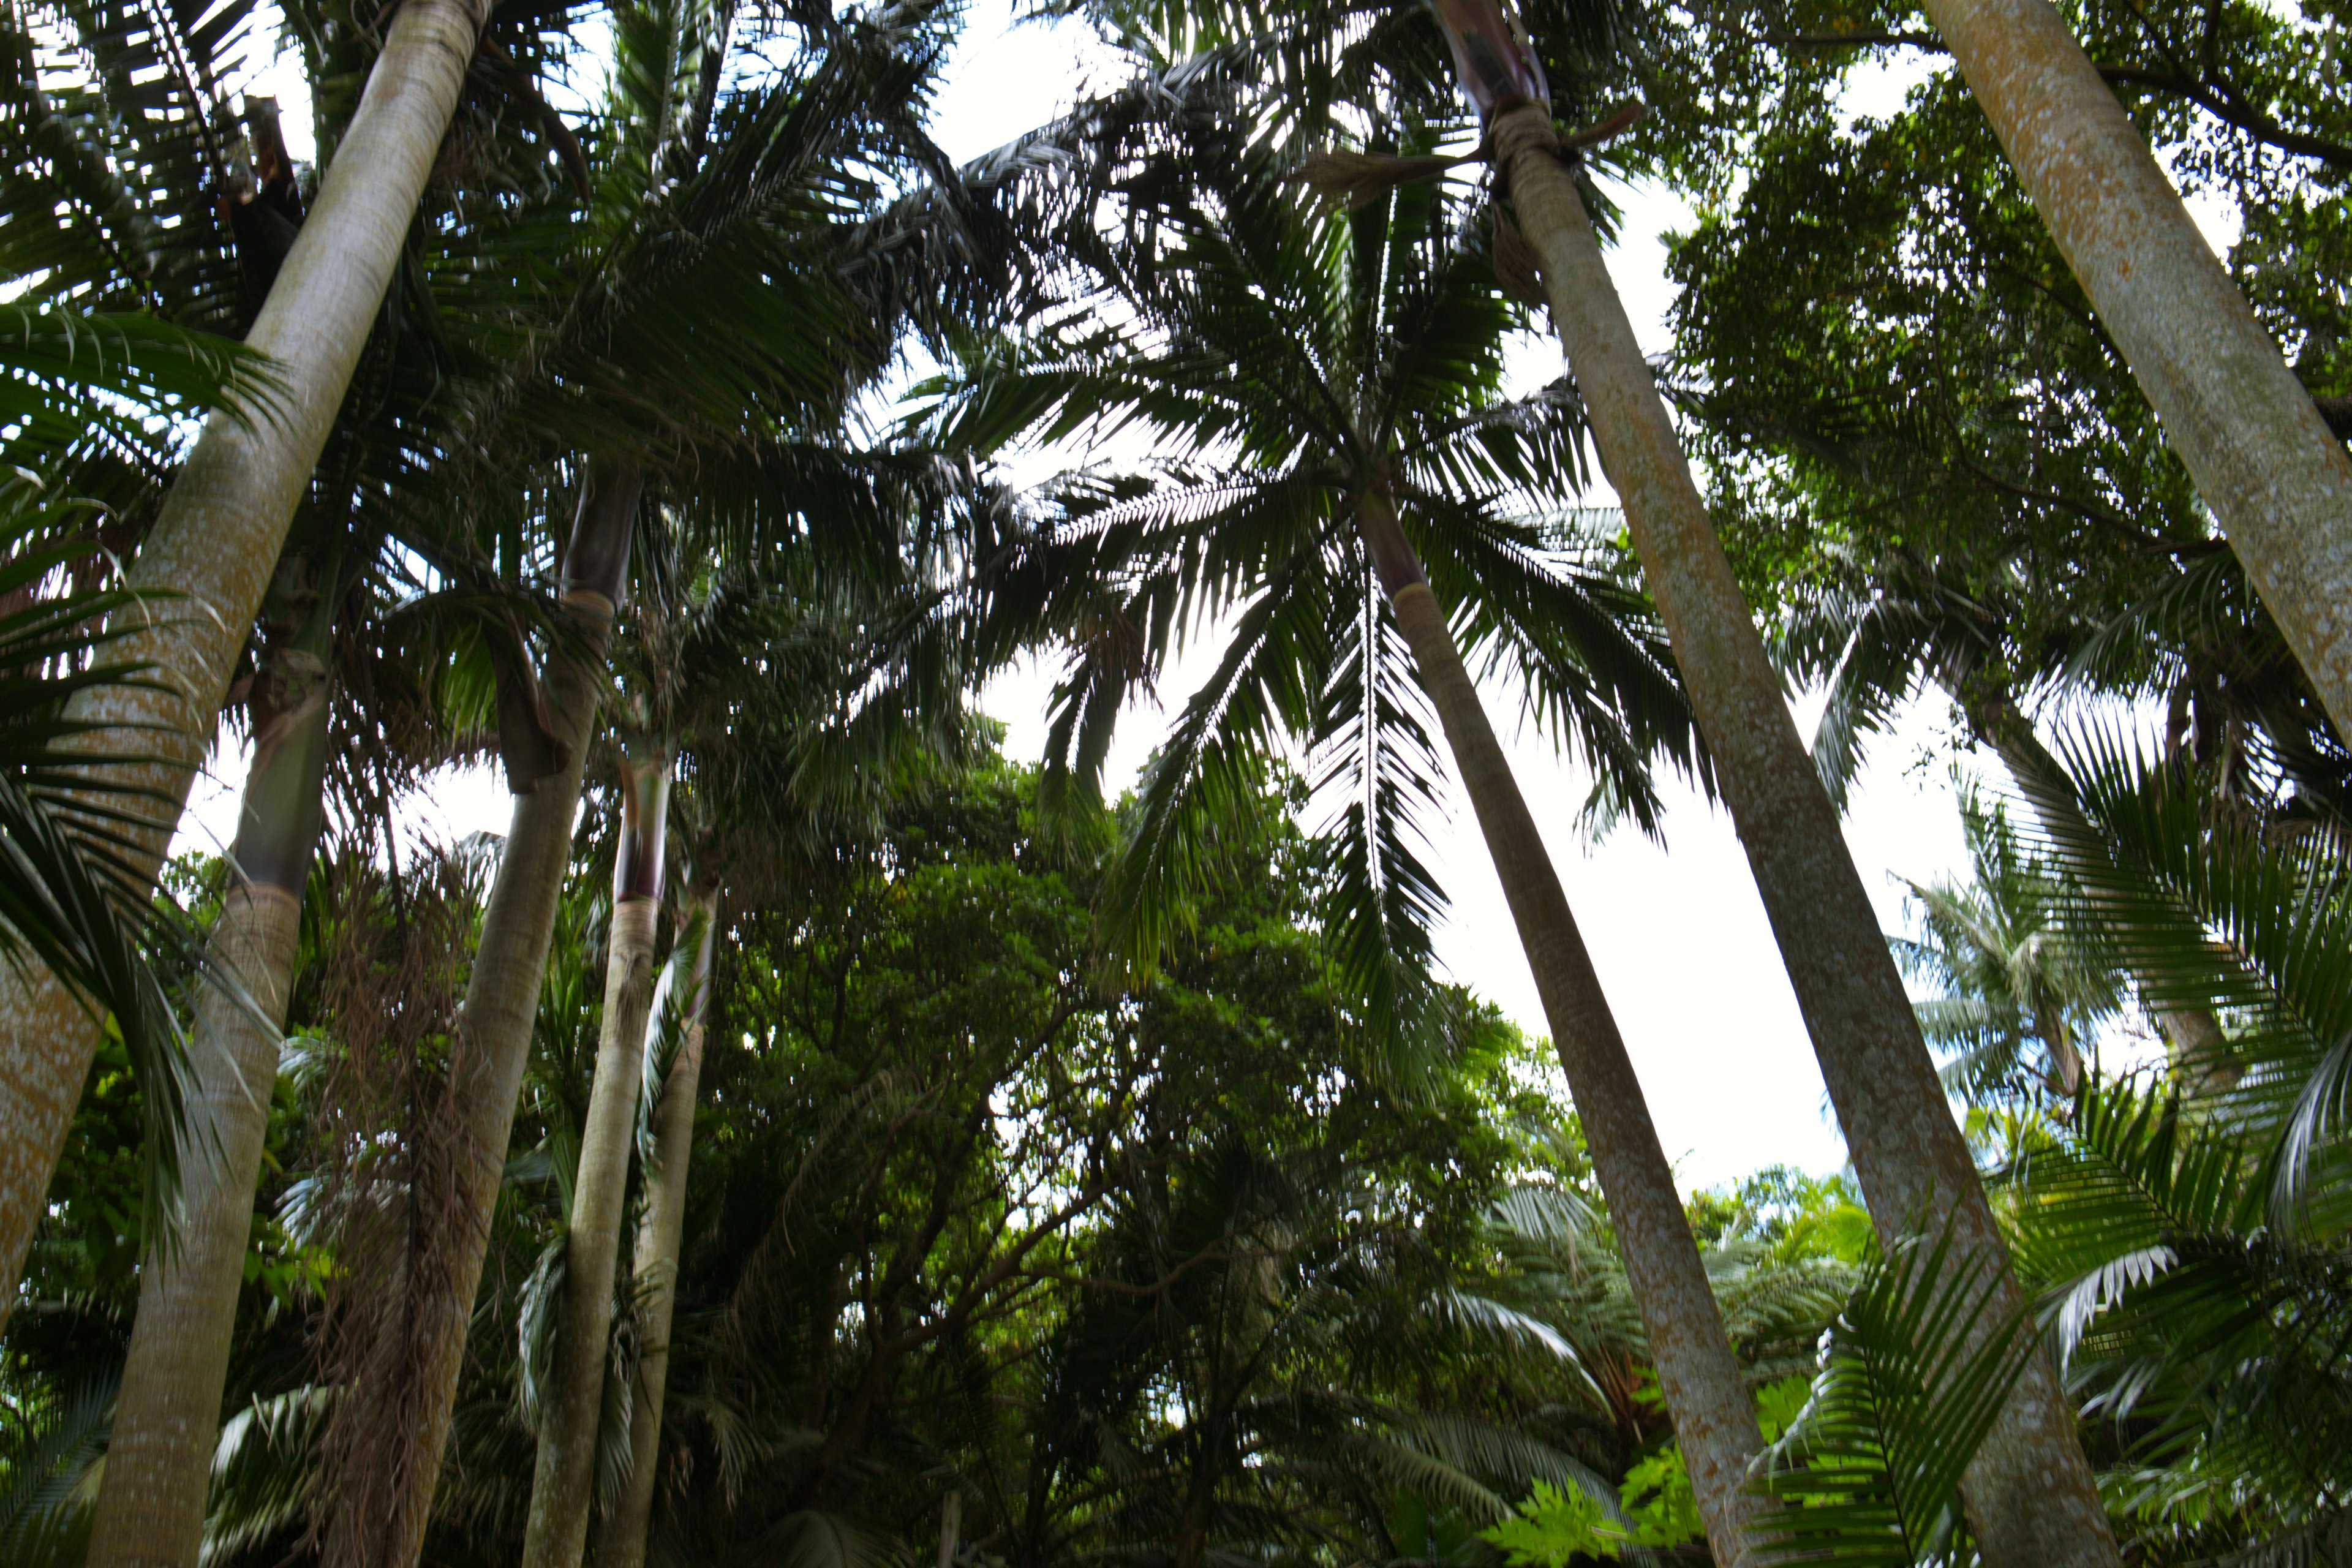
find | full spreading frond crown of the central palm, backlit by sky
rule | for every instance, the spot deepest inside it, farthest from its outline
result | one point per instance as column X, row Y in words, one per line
column 1314, row 359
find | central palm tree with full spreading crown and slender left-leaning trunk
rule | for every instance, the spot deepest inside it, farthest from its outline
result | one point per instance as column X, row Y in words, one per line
column 1347, row 363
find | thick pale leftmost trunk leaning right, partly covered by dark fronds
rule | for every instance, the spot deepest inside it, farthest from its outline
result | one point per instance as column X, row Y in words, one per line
column 218, row 544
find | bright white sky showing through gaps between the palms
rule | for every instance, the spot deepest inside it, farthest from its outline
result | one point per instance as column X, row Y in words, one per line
column 1678, row 932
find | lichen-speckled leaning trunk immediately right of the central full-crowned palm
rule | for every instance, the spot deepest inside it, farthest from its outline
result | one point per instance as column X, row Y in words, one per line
column 2031, row 1492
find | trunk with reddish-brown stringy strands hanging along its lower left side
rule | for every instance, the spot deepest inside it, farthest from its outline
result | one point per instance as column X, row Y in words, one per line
column 380, row 1520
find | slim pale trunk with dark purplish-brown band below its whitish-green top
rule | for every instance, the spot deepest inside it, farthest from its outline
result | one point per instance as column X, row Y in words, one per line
column 563, row 1485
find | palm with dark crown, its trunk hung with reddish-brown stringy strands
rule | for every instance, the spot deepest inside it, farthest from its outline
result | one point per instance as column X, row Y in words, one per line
column 707, row 316
